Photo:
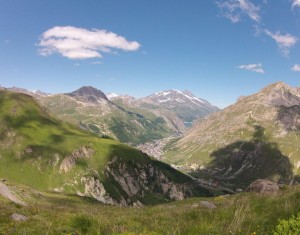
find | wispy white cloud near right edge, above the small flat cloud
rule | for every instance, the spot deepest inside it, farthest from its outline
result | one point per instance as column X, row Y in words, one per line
column 284, row 41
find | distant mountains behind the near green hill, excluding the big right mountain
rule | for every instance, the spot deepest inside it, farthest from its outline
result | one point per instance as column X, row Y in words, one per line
column 129, row 120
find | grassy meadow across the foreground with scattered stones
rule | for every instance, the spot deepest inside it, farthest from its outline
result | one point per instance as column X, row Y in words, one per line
column 51, row 213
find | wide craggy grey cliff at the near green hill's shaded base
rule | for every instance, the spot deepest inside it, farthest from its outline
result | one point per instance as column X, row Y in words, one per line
column 133, row 182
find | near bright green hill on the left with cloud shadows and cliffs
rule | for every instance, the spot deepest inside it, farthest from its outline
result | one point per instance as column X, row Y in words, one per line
column 47, row 154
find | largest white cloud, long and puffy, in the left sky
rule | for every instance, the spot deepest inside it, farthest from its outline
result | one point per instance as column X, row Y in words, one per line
column 80, row 43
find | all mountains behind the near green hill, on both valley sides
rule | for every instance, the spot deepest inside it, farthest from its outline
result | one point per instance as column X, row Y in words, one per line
column 257, row 137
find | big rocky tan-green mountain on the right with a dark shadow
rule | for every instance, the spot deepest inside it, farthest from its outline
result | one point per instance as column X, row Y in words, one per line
column 258, row 137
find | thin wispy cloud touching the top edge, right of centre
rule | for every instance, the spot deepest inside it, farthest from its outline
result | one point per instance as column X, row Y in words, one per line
column 234, row 9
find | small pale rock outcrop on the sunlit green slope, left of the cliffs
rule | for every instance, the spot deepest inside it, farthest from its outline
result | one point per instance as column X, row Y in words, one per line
column 70, row 161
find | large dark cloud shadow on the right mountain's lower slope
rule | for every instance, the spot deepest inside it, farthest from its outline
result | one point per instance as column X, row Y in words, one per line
column 242, row 162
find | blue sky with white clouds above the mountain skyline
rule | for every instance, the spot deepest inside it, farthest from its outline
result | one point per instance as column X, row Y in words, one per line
column 217, row 49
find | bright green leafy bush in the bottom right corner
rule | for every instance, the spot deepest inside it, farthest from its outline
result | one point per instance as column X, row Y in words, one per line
column 288, row 227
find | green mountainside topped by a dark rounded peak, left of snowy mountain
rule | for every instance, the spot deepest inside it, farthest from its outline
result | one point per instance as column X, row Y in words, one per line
column 91, row 110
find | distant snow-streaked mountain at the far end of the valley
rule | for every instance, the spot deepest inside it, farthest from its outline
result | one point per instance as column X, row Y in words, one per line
column 184, row 104
